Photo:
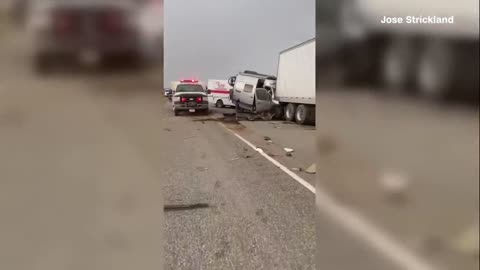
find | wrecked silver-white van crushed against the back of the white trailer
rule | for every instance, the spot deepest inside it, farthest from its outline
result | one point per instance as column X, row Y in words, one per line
column 252, row 91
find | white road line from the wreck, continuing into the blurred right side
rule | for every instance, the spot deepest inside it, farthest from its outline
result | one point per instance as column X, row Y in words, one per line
column 353, row 221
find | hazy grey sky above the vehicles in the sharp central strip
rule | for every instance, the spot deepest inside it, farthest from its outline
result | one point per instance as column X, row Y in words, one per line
column 215, row 39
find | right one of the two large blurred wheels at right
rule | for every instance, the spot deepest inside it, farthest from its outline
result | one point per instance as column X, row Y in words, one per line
column 436, row 69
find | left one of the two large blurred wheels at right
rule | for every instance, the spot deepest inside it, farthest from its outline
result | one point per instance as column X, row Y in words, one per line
column 399, row 62
